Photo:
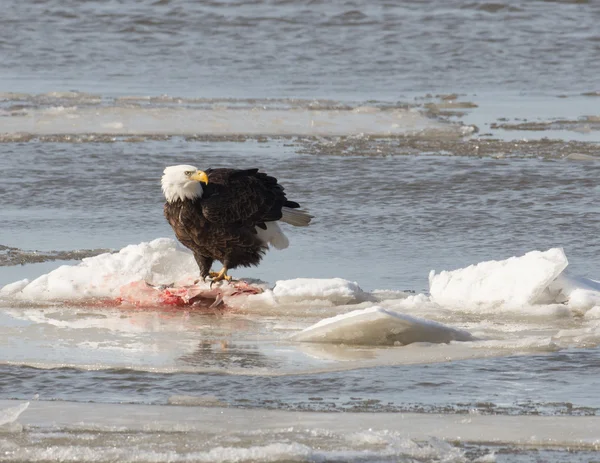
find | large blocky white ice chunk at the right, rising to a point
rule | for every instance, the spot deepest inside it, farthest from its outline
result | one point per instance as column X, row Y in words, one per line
column 509, row 283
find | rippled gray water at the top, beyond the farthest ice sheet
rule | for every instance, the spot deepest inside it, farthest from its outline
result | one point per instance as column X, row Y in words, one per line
column 341, row 49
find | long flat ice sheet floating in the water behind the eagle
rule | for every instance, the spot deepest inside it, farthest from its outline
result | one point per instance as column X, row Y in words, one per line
column 256, row 121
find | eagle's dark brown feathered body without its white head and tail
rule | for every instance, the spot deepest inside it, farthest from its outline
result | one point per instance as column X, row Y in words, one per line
column 221, row 225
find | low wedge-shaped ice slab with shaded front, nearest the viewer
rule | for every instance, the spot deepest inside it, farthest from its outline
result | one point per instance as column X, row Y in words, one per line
column 377, row 326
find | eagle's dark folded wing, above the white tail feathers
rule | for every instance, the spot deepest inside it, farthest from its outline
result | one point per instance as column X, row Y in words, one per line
column 244, row 197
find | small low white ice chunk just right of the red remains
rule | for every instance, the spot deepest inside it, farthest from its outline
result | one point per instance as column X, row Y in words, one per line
column 335, row 290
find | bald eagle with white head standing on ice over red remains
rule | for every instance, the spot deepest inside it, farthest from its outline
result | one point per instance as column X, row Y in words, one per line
column 229, row 215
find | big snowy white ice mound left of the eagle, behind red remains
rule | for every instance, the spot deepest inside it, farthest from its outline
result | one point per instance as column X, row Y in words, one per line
column 160, row 261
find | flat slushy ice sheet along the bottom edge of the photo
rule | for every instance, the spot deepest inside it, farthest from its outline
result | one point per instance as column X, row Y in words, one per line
column 104, row 432
